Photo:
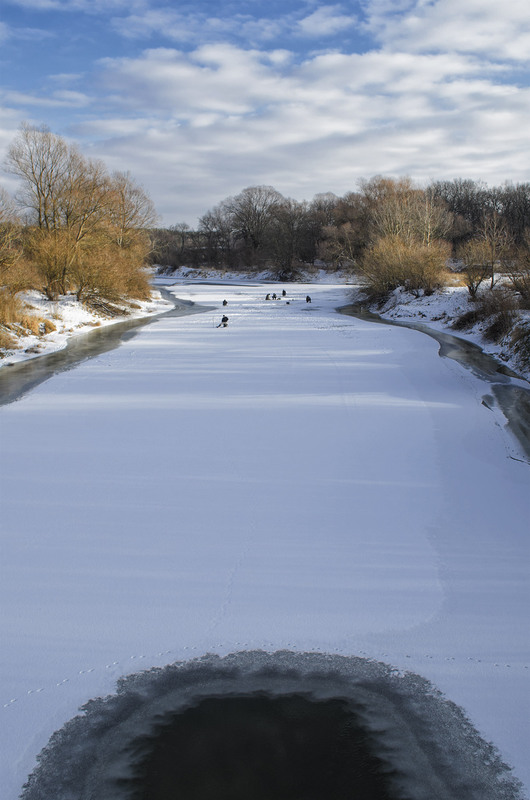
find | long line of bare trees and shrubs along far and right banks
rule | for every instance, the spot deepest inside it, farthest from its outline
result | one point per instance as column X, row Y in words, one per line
column 391, row 231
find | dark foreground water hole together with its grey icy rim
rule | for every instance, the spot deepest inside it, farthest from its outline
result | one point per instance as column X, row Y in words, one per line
column 395, row 730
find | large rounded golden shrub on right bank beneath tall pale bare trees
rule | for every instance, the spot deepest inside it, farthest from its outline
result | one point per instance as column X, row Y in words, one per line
column 392, row 261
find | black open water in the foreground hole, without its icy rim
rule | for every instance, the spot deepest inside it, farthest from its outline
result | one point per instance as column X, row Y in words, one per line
column 261, row 747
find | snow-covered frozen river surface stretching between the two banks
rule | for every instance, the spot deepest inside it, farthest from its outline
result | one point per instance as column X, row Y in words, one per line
column 298, row 481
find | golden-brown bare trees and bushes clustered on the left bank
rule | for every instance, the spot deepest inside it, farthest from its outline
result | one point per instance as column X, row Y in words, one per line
column 72, row 228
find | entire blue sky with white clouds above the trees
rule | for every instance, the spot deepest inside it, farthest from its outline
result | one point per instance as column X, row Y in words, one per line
column 199, row 100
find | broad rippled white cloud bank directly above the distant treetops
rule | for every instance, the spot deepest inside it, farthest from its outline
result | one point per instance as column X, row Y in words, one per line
column 198, row 127
